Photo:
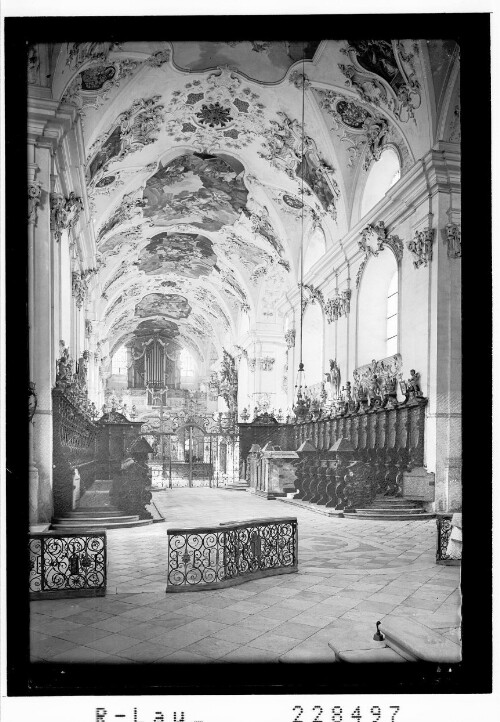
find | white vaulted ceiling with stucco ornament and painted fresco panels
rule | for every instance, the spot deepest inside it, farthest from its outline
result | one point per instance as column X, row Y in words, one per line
column 194, row 158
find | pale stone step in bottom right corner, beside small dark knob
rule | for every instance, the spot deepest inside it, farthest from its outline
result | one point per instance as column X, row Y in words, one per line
column 417, row 643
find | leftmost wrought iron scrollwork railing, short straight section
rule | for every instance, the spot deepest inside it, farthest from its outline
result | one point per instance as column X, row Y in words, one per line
column 67, row 565
